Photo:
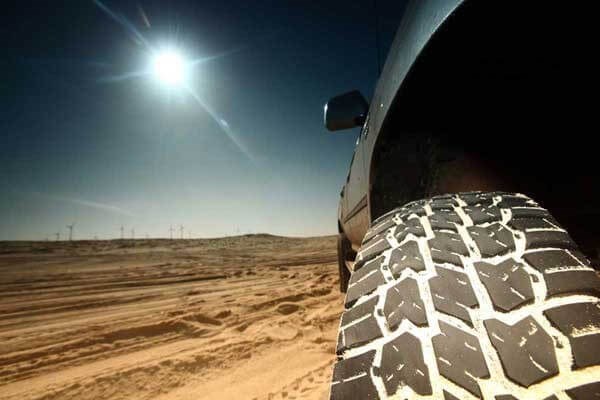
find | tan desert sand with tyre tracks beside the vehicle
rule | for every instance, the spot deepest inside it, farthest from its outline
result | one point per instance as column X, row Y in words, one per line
column 252, row 317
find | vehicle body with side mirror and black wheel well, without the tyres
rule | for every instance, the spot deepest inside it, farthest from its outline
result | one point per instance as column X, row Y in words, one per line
column 476, row 95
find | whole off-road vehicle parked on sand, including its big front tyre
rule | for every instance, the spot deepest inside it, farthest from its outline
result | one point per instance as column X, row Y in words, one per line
column 469, row 224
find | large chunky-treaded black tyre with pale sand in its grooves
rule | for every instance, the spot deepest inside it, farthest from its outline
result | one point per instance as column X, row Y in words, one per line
column 469, row 296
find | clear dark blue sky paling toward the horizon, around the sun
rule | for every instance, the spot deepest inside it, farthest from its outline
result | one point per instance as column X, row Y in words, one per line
column 84, row 140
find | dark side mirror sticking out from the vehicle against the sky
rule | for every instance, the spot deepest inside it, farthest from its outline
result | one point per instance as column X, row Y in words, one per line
column 346, row 111
